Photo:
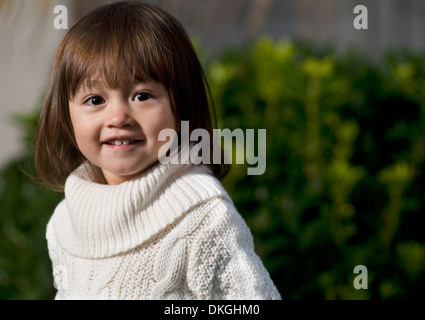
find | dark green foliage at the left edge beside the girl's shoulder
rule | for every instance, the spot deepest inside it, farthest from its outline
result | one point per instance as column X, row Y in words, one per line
column 25, row 207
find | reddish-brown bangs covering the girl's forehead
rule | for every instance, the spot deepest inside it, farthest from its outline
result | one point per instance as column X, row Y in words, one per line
column 115, row 54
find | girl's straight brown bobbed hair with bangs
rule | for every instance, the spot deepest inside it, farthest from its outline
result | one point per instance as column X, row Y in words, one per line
column 119, row 42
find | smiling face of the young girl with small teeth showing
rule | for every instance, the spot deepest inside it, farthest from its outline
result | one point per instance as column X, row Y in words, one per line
column 117, row 129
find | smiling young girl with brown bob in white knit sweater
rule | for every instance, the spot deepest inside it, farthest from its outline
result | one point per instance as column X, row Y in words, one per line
column 131, row 227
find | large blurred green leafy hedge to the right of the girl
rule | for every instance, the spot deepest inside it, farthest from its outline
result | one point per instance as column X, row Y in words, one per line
column 345, row 159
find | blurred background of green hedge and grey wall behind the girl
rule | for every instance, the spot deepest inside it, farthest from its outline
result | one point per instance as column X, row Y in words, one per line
column 344, row 114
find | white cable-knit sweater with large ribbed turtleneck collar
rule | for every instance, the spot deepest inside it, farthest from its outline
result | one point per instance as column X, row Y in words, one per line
column 173, row 233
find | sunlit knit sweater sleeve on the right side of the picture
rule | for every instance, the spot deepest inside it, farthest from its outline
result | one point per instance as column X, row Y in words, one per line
column 223, row 263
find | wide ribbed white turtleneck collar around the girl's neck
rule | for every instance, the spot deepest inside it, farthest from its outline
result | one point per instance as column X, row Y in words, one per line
column 97, row 221
